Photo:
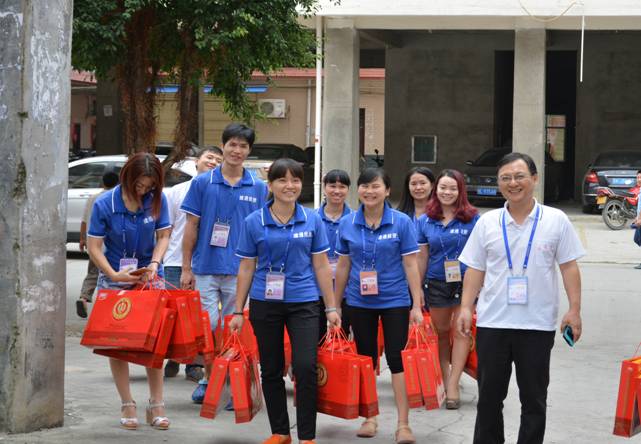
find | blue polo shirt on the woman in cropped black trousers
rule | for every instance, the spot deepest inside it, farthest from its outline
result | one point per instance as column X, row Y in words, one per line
column 385, row 247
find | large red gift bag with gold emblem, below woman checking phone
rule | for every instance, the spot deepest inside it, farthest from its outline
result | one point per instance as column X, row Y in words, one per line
column 125, row 319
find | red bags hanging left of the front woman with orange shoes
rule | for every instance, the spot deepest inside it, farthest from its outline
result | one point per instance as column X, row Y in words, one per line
column 239, row 368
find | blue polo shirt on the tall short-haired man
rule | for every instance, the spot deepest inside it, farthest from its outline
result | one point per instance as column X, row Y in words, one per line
column 213, row 199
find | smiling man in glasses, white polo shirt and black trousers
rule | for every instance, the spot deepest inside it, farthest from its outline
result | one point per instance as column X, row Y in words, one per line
column 511, row 257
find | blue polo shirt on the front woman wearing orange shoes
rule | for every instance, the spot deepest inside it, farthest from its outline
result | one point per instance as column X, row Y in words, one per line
column 306, row 236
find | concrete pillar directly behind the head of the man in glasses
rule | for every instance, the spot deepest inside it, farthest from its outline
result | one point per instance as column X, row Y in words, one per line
column 529, row 98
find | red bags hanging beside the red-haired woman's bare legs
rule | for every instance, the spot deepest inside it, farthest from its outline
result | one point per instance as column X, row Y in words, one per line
column 422, row 370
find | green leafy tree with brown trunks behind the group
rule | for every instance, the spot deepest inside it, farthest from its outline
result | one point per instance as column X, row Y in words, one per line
column 220, row 42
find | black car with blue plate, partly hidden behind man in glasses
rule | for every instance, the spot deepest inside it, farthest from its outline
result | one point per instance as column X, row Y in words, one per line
column 480, row 177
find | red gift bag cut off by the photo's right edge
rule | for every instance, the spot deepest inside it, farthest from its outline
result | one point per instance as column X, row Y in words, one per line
column 626, row 421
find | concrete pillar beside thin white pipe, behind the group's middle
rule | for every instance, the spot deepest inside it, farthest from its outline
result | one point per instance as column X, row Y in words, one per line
column 339, row 139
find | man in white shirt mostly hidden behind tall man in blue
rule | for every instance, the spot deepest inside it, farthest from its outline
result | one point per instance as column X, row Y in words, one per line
column 208, row 159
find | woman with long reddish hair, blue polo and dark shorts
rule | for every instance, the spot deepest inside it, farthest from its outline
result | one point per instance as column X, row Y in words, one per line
column 442, row 234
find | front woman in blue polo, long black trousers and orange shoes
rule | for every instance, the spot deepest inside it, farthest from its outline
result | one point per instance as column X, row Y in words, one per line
column 283, row 249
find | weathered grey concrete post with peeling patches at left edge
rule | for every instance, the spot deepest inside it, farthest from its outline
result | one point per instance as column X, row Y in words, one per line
column 35, row 48
